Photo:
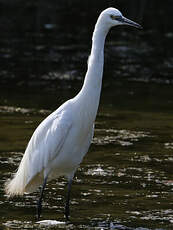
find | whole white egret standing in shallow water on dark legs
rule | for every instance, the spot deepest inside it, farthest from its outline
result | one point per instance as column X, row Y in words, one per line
column 60, row 142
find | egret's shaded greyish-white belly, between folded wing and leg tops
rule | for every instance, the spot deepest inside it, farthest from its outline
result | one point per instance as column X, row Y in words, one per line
column 71, row 154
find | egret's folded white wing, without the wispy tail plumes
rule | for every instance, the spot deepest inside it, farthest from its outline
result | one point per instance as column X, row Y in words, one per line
column 46, row 142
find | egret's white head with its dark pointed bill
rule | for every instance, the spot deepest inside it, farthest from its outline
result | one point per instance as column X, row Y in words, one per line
column 114, row 17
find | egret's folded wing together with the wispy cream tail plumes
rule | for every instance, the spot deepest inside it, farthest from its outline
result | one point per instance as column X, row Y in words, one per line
column 44, row 145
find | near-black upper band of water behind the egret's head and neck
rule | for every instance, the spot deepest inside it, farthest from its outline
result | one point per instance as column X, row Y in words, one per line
column 42, row 41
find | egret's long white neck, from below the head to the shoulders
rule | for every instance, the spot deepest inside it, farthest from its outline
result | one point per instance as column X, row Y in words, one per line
column 90, row 92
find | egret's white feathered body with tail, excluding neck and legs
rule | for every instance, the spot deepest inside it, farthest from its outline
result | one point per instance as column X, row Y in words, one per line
column 56, row 148
